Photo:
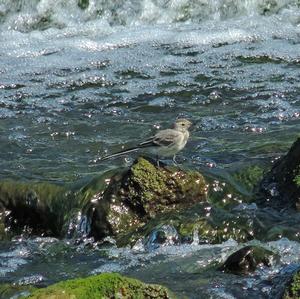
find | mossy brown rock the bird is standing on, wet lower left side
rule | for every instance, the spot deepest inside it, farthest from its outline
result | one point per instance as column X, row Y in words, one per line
column 140, row 194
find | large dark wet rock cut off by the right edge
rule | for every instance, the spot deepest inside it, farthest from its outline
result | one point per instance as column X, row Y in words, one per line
column 280, row 188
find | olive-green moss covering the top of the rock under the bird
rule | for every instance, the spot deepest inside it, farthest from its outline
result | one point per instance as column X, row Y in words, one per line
column 156, row 189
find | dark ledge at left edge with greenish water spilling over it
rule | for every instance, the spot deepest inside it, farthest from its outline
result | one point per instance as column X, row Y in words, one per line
column 34, row 208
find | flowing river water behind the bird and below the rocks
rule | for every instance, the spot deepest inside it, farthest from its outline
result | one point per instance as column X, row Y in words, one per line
column 78, row 79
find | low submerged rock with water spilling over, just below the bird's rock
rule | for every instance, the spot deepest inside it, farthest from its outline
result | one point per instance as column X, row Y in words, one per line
column 199, row 224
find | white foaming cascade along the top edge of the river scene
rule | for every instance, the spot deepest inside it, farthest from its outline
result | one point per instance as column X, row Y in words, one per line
column 31, row 14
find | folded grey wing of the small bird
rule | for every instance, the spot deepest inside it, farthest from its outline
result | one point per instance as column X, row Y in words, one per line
column 163, row 138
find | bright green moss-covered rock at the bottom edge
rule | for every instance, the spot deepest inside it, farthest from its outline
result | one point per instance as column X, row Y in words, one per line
column 107, row 285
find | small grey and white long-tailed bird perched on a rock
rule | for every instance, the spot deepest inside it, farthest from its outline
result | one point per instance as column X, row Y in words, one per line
column 165, row 143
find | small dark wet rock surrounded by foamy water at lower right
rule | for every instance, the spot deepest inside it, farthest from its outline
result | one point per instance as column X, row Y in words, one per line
column 248, row 259
